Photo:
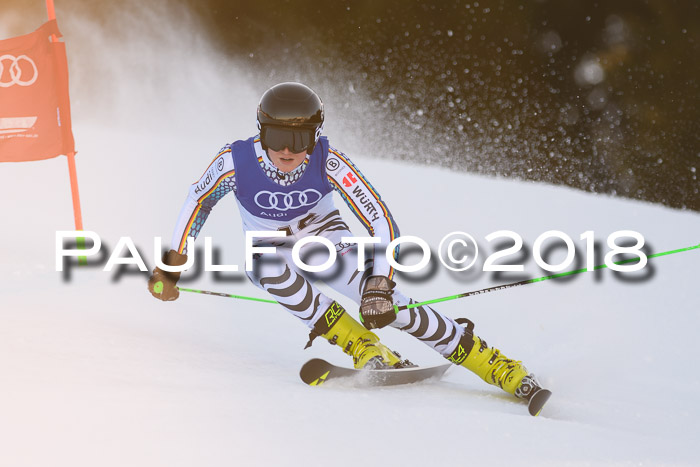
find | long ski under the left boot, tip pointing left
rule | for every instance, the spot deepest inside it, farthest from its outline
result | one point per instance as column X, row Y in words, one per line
column 317, row 371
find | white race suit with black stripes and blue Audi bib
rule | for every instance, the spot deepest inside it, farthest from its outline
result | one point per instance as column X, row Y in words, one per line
column 300, row 203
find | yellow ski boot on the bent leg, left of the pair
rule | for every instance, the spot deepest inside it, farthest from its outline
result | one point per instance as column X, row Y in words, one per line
column 339, row 328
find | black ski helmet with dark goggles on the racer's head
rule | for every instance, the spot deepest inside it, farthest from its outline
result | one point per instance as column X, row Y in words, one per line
column 290, row 115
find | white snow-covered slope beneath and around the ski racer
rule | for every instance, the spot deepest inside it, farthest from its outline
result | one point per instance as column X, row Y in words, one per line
column 94, row 371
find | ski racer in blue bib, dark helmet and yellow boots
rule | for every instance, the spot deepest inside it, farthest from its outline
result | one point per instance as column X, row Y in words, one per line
column 283, row 179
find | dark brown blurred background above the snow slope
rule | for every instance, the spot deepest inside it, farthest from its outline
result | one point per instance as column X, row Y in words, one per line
column 602, row 96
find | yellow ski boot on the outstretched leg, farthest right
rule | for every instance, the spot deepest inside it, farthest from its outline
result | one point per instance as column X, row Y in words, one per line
column 492, row 366
